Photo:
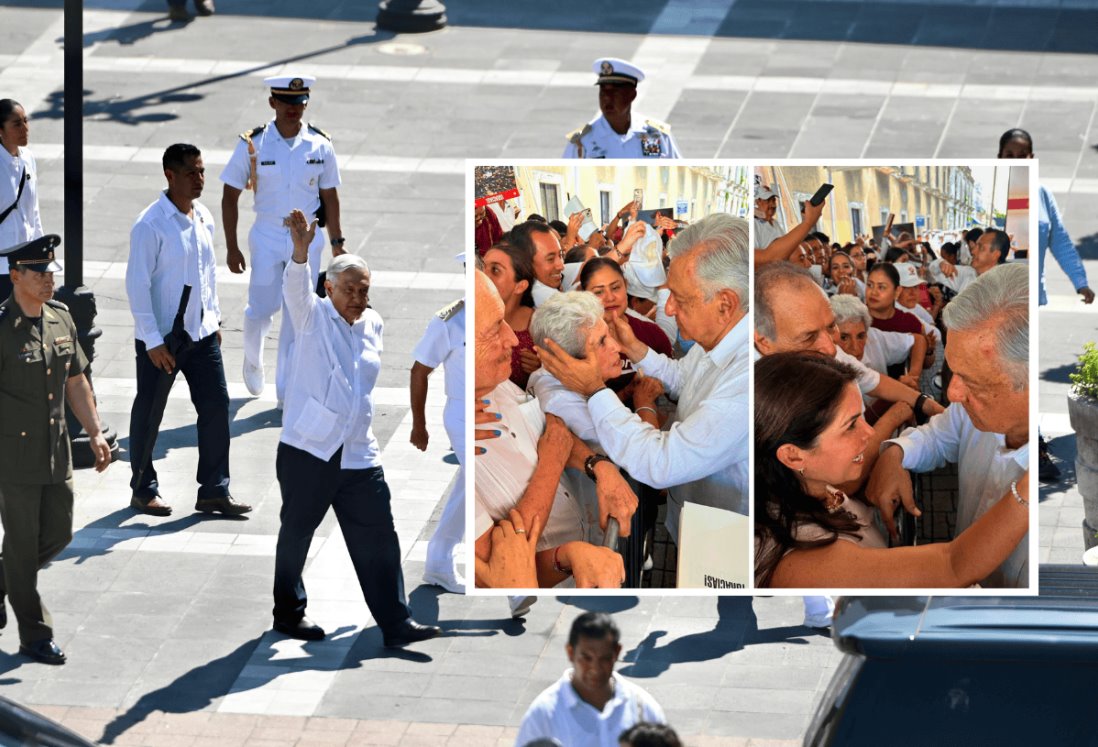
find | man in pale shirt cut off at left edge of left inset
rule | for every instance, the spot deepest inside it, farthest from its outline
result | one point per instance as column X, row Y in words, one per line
column 521, row 462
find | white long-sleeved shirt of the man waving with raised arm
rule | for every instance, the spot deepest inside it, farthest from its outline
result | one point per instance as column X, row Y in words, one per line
column 330, row 395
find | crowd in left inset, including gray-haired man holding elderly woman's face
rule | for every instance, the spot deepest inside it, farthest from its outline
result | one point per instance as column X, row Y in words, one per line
column 637, row 385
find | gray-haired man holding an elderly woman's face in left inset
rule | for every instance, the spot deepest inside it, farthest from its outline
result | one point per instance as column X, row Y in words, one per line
column 703, row 459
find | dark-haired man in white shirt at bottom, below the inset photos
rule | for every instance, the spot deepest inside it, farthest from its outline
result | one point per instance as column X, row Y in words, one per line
column 589, row 706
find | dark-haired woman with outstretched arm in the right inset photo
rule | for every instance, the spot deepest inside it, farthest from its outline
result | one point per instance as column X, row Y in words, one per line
column 810, row 437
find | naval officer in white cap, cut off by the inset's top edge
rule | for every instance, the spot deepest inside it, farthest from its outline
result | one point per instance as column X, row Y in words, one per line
column 617, row 133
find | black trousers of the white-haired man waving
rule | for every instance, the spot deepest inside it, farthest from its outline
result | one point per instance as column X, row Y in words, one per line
column 362, row 503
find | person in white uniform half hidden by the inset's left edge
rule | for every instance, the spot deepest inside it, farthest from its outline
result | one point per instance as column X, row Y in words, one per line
column 444, row 343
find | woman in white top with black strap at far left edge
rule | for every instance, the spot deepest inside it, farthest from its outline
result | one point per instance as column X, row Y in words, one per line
column 19, row 186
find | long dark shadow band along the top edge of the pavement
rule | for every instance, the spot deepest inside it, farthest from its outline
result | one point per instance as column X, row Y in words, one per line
column 939, row 24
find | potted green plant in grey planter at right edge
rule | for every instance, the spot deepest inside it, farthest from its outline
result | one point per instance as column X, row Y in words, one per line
column 1083, row 410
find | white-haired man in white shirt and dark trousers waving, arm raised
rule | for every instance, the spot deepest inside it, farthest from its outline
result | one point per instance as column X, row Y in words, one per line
column 328, row 455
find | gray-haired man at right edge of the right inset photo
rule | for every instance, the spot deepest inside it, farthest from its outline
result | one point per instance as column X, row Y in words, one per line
column 985, row 430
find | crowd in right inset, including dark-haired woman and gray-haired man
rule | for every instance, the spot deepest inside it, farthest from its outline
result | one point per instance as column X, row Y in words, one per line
column 853, row 342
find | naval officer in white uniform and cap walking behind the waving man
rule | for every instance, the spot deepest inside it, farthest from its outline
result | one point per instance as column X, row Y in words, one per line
column 289, row 164
